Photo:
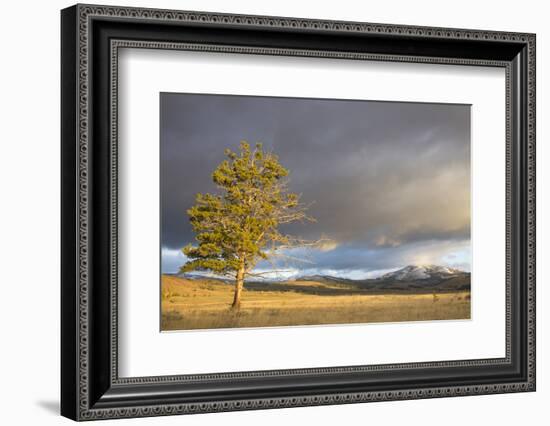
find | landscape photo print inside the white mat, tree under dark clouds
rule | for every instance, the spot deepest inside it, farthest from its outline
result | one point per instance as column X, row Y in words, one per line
column 279, row 211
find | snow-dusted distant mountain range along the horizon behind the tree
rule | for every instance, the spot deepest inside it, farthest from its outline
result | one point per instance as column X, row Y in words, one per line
column 409, row 278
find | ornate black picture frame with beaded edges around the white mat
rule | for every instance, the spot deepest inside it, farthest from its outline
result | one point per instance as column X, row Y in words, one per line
column 91, row 37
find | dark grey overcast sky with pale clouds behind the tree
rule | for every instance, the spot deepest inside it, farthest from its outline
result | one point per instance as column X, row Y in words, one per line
column 389, row 181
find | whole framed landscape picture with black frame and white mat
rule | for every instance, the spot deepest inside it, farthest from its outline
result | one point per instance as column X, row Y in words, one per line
column 263, row 212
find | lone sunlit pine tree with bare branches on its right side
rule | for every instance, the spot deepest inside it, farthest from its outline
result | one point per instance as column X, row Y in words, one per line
column 238, row 227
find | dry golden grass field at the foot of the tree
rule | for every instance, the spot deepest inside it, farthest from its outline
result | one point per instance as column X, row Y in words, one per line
column 202, row 304
